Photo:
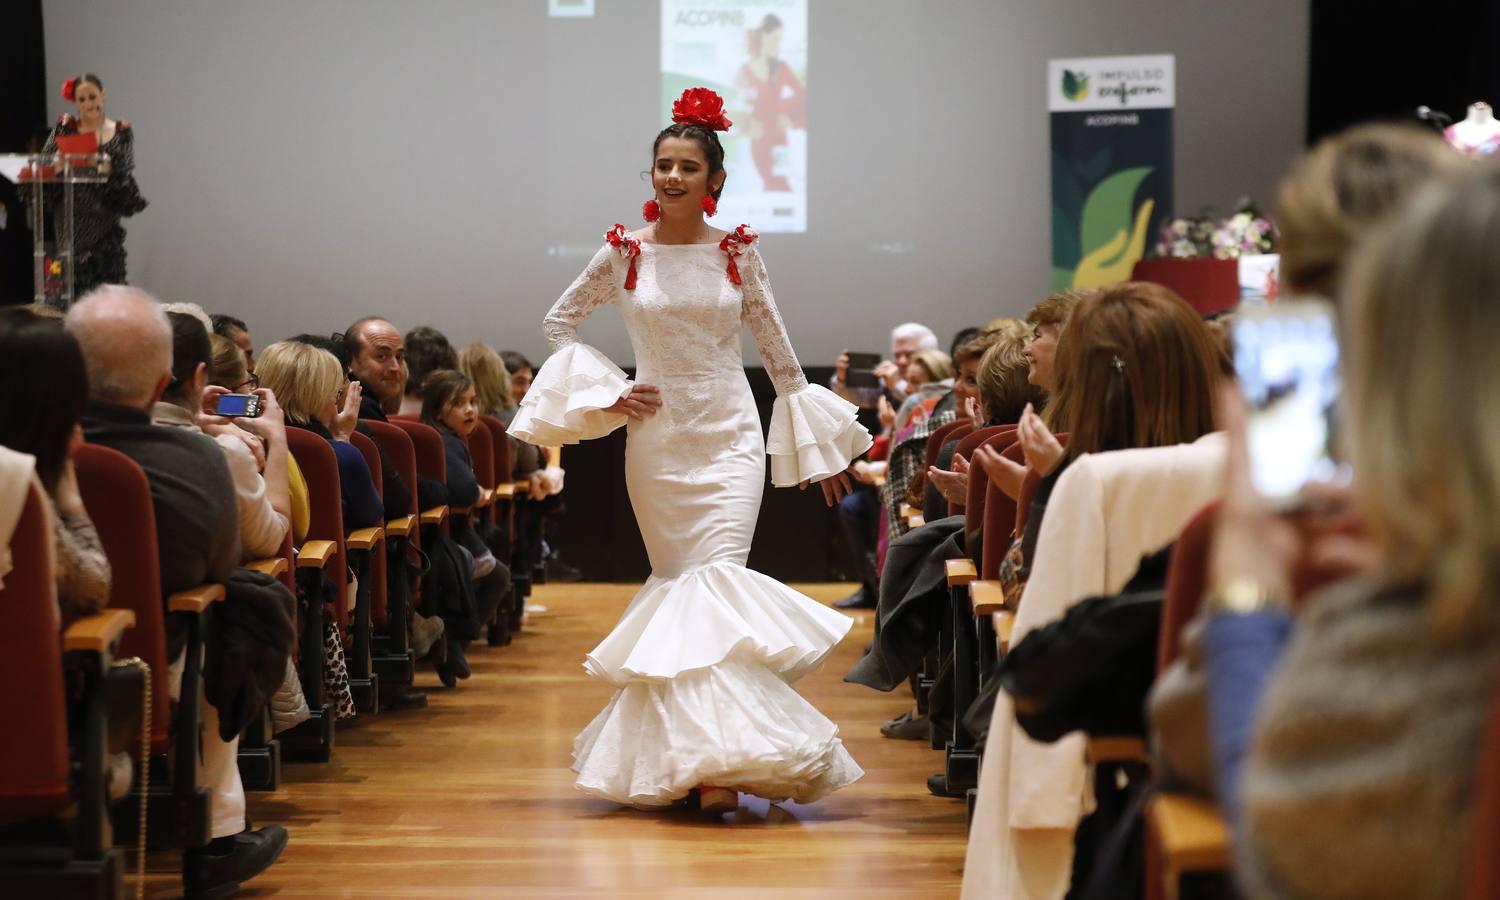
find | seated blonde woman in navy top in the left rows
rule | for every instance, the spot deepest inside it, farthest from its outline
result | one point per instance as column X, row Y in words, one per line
column 314, row 395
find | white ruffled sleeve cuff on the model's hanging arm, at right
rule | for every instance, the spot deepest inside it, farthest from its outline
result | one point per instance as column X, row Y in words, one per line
column 814, row 434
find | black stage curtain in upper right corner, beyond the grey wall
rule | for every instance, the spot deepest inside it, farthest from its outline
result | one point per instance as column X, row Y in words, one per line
column 1373, row 62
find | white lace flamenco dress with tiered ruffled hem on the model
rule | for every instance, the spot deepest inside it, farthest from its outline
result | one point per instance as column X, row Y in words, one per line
column 706, row 655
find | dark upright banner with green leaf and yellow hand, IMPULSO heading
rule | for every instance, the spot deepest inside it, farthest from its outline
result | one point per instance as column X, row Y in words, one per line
column 1111, row 164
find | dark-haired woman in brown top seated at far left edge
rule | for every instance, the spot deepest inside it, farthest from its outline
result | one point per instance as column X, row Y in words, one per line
column 44, row 389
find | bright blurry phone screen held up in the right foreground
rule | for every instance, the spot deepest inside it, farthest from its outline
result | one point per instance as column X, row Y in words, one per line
column 1286, row 359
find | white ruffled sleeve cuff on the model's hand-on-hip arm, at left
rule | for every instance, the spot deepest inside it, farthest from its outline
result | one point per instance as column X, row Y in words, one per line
column 568, row 400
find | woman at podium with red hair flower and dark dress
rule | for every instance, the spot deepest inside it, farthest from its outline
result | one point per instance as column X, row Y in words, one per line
column 100, row 206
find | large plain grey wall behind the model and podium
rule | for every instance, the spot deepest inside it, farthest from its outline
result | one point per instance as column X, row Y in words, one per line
column 455, row 163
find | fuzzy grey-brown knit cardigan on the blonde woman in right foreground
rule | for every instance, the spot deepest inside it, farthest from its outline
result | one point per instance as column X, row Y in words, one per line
column 1360, row 781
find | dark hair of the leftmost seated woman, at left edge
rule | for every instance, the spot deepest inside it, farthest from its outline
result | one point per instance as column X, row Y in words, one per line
column 44, row 388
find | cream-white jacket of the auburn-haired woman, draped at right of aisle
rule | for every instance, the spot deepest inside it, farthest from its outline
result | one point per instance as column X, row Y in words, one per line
column 1106, row 512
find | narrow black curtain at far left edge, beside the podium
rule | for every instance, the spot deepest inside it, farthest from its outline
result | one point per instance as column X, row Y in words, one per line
column 23, row 125
